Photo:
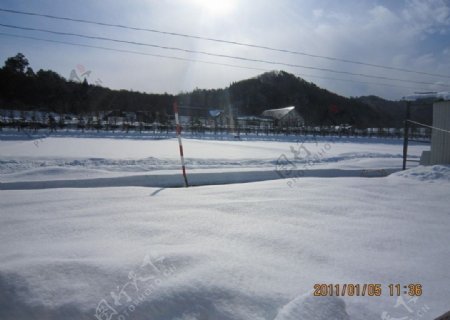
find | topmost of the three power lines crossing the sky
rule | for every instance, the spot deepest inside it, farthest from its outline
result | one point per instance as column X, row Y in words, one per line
column 224, row 41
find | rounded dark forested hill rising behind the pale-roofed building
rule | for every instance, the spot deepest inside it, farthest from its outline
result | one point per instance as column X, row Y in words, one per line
column 318, row 106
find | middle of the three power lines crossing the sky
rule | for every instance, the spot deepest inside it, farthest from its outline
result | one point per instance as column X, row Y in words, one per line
column 216, row 55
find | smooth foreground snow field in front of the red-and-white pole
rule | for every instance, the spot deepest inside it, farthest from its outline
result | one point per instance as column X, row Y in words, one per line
column 240, row 251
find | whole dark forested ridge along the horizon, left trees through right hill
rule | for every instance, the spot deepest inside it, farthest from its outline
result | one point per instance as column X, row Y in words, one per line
column 22, row 88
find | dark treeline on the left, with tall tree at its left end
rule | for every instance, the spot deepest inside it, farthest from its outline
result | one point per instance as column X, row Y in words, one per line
column 23, row 89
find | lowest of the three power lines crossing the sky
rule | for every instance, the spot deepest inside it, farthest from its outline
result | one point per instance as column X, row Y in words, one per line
column 193, row 60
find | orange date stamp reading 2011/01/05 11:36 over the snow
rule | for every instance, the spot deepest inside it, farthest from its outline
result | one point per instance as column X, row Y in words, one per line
column 366, row 289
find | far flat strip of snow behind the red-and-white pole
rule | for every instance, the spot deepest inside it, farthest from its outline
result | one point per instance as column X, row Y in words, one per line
column 81, row 157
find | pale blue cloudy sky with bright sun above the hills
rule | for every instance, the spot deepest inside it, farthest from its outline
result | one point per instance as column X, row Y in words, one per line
column 413, row 34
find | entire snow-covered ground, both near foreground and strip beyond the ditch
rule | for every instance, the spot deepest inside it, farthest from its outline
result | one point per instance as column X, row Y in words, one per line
column 238, row 251
